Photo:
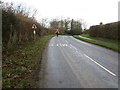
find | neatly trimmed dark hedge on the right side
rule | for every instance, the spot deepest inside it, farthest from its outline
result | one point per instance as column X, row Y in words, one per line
column 109, row 30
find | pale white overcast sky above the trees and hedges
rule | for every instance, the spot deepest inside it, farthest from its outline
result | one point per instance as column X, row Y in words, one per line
column 91, row 11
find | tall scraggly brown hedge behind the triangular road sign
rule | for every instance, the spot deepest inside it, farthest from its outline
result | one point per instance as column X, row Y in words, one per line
column 17, row 26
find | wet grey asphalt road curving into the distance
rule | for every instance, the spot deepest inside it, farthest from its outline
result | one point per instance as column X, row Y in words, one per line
column 71, row 63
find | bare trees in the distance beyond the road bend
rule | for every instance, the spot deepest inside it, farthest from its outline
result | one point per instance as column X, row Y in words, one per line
column 67, row 26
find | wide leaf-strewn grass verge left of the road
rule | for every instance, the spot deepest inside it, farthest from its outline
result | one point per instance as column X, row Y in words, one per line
column 20, row 65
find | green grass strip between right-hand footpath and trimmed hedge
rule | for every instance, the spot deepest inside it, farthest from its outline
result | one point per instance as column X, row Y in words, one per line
column 102, row 39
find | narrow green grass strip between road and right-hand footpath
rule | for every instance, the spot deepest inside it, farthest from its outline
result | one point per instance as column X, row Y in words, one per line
column 113, row 47
